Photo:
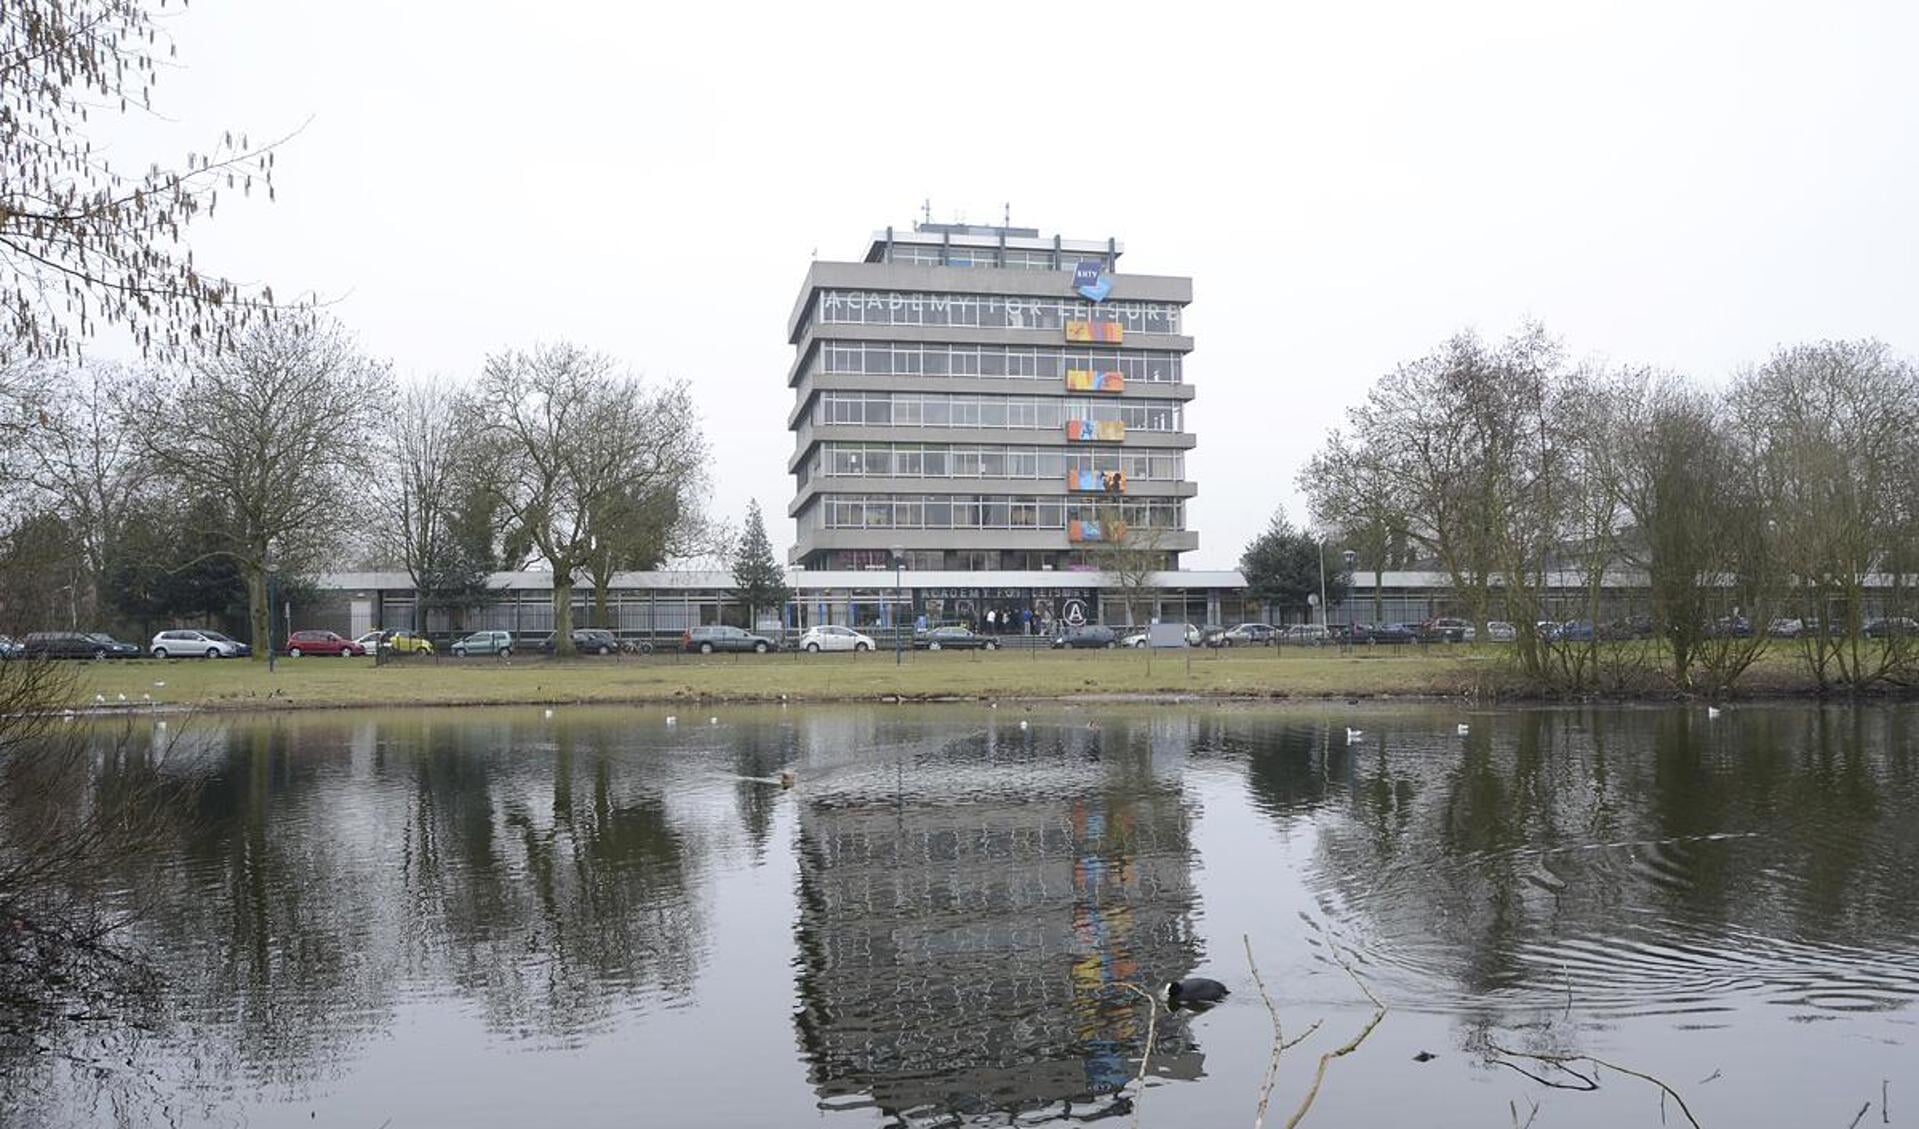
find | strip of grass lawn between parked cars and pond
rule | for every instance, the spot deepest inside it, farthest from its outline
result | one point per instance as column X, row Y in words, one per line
column 350, row 683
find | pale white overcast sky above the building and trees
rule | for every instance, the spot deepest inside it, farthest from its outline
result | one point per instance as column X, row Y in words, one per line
column 1682, row 185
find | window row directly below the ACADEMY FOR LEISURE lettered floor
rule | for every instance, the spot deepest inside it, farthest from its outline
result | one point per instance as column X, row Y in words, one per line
column 1012, row 362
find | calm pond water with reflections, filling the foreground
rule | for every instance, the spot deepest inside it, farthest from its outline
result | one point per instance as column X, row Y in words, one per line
column 500, row 919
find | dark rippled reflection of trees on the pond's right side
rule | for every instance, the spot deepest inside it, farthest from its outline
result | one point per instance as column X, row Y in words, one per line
column 1644, row 857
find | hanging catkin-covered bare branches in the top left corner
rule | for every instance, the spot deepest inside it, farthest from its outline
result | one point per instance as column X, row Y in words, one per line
column 83, row 243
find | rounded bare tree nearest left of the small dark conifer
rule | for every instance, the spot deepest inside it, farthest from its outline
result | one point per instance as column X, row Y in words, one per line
column 567, row 437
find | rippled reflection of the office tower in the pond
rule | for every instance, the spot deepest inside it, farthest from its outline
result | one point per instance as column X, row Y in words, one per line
column 962, row 942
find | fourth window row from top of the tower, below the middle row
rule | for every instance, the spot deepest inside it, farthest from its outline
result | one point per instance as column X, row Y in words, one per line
column 943, row 462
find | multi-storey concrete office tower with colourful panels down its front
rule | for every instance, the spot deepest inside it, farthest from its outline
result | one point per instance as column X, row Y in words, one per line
column 989, row 400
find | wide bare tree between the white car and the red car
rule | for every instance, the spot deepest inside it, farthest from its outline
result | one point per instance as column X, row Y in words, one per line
column 273, row 435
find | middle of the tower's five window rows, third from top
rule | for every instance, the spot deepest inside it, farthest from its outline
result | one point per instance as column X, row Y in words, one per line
column 936, row 410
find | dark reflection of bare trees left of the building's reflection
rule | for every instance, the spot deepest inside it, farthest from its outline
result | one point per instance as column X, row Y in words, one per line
column 335, row 871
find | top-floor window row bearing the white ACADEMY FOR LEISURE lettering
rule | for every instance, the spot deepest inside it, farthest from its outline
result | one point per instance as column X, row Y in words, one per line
column 989, row 312
